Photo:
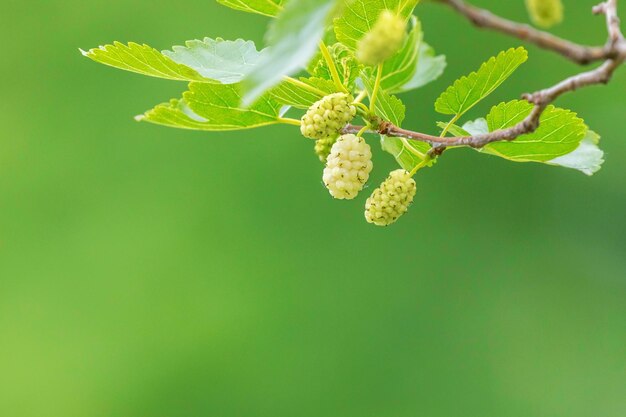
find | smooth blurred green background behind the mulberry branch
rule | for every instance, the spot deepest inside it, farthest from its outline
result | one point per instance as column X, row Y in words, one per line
column 146, row 271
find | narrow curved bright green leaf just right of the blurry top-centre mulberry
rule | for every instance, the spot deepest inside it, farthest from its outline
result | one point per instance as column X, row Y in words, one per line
column 401, row 68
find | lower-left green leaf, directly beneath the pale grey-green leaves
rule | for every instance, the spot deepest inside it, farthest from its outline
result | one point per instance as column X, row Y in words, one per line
column 214, row 107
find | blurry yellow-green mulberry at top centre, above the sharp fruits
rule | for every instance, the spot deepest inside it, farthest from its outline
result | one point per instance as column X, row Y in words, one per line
column 383, row 40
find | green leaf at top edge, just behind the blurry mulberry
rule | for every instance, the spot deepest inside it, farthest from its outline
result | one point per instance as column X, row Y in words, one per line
column 360, row 15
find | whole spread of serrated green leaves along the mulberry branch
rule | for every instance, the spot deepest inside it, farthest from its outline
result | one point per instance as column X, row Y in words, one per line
column 234, row 85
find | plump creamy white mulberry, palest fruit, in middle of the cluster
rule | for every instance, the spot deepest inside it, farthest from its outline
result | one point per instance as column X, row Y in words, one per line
column 348, row 167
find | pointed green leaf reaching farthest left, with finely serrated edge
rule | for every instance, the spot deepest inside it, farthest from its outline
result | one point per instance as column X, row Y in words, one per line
column 142, row 59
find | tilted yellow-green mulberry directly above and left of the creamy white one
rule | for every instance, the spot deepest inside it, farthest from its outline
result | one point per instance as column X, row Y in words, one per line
column 328, row 116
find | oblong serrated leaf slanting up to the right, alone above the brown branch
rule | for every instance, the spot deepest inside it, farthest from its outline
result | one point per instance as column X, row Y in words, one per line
column 467, row 91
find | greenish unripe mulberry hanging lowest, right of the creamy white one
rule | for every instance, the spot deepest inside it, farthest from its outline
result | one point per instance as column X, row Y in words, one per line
column 391, row 200
